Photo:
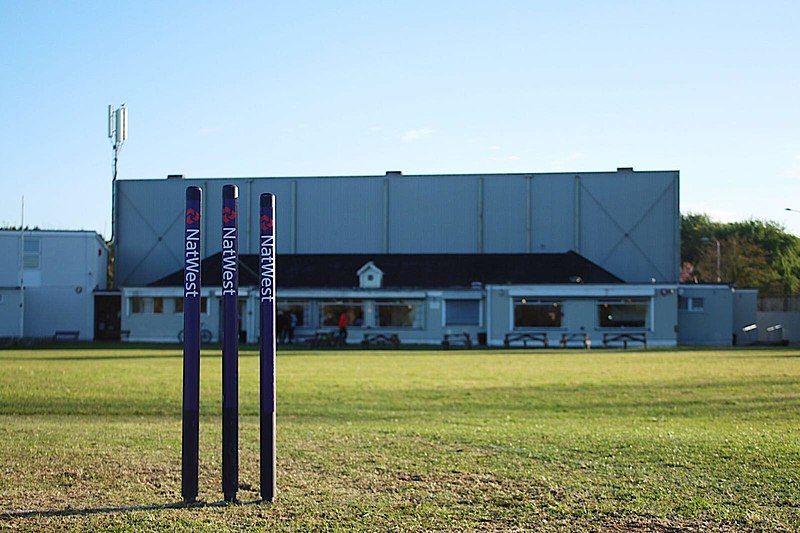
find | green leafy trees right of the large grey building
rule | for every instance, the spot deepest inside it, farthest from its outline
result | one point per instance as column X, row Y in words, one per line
column 754, row 253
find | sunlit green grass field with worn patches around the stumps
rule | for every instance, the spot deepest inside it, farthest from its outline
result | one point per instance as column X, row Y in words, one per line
column 412, row 440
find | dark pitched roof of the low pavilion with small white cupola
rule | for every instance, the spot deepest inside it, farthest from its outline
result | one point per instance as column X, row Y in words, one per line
column 409, row 270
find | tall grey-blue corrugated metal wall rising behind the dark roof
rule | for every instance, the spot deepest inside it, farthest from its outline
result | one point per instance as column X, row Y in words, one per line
column 625, row 221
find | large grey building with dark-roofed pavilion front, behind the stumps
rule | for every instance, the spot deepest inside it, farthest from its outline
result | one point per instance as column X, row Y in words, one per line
column 559, row 256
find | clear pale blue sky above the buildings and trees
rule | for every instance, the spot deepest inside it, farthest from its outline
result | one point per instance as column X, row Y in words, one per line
column 326, row 88
